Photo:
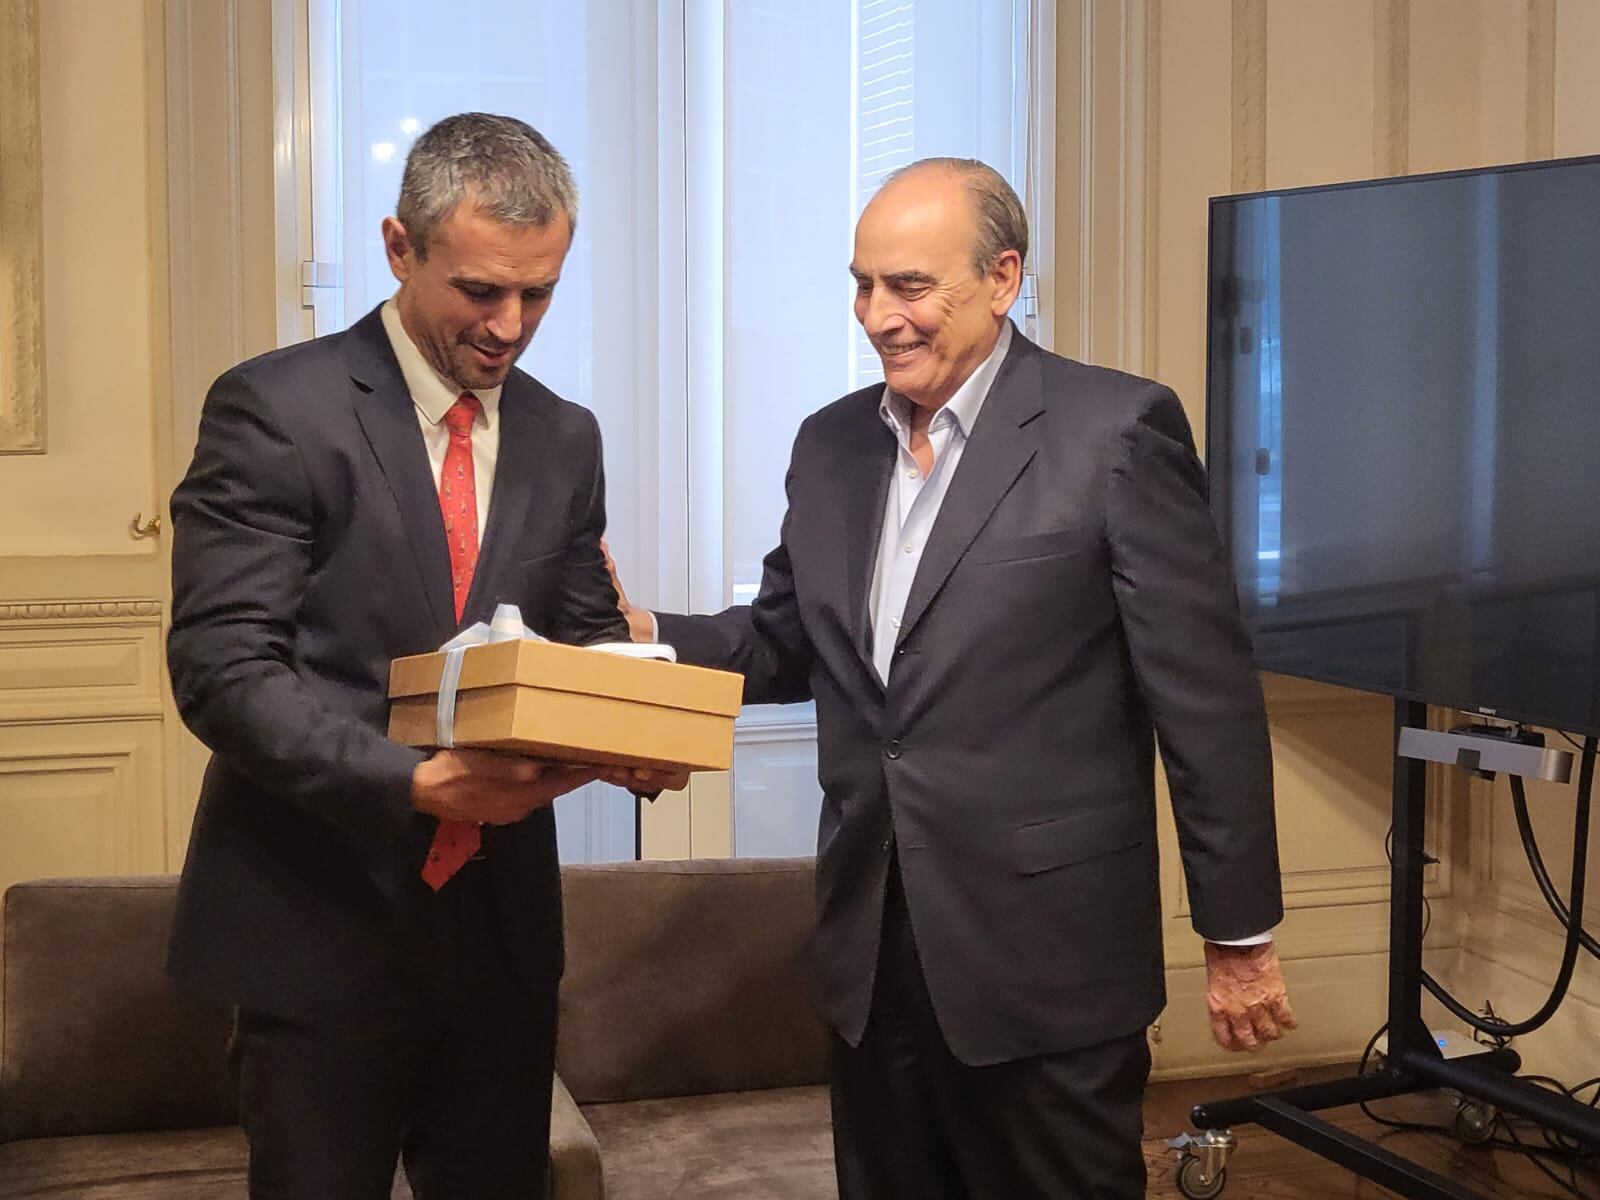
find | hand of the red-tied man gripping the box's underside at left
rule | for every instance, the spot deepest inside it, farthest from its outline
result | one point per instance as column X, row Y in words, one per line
column 490, row 788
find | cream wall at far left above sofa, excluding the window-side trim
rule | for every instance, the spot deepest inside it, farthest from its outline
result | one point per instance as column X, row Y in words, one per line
column 84, row 729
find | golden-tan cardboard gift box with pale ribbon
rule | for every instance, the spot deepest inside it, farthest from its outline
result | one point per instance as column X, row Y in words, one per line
column 575, row 705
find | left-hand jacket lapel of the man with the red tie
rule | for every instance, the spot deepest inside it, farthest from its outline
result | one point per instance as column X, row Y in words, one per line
column 390, row 423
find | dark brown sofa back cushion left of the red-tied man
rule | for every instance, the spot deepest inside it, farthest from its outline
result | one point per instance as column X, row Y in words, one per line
column 95, row 1038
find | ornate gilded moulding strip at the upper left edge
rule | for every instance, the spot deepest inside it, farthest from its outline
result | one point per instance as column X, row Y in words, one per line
column 22, row 234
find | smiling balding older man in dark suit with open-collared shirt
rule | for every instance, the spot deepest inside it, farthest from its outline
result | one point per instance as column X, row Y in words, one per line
column 998, row 580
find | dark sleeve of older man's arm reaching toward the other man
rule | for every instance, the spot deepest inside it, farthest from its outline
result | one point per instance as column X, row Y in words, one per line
column 766, row 641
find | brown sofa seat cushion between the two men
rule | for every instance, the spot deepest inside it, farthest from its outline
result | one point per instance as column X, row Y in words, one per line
column 735, row 1146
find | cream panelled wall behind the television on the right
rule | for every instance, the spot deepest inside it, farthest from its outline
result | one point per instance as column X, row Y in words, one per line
column 1162, row 105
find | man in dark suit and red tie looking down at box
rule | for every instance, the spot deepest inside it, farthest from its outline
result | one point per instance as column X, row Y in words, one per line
column 388, row 922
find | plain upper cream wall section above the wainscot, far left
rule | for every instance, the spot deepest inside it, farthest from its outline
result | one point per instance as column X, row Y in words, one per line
column 100, row 303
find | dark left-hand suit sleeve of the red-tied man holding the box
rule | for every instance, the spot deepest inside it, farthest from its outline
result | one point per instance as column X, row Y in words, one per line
column 244, row 526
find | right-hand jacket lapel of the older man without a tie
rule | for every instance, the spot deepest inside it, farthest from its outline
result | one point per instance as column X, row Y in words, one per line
column 996, row 454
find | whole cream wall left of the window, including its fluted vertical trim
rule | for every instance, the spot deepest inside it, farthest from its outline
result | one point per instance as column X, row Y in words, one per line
column 156, row 116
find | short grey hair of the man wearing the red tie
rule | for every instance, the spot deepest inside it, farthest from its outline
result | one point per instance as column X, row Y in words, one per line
column 506, row 167
